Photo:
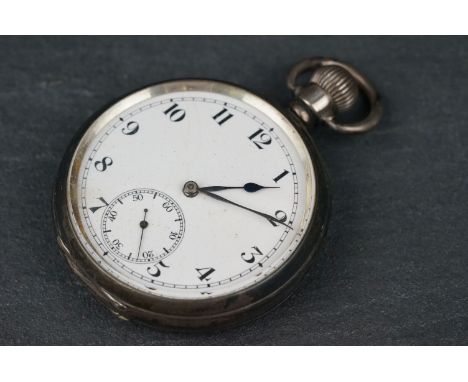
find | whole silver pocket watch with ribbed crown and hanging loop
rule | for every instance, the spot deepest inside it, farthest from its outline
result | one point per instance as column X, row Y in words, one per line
column 196, row 203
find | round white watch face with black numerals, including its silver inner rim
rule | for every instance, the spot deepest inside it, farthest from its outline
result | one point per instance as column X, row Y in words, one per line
column 191, row 190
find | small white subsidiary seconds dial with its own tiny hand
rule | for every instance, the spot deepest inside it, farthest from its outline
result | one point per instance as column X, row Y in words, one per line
column 142, row 226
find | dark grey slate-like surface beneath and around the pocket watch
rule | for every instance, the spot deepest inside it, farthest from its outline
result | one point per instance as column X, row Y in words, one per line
column 394, row 268
